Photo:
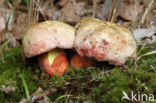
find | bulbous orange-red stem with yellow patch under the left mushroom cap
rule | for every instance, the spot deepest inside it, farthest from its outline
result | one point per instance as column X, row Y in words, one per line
column 54, row 62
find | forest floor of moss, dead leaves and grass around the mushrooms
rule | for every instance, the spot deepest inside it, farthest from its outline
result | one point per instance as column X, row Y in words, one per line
column 24, row 81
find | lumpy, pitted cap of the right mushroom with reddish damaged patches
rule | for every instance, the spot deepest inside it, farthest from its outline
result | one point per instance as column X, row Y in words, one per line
column 104, row 41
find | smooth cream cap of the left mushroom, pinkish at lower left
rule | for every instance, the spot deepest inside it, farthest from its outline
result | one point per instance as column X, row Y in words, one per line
column 44, row 36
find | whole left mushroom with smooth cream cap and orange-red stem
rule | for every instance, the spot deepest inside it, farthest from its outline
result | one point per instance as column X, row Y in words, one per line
column 42, row 39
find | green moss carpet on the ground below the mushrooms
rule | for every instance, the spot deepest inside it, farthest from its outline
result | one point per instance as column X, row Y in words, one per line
column 96, row 85
